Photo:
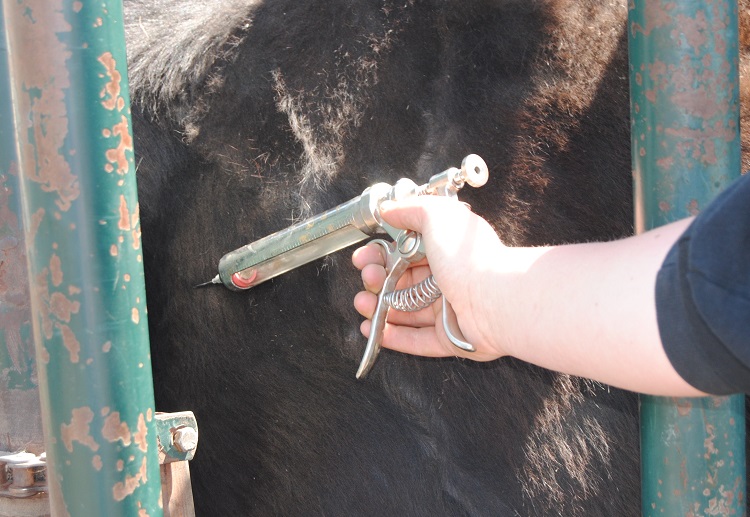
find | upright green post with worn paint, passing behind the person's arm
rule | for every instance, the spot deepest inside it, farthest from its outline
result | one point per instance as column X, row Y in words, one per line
column 685, row 149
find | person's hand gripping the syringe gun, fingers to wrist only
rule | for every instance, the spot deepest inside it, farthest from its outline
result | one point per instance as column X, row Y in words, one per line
column 462, row 250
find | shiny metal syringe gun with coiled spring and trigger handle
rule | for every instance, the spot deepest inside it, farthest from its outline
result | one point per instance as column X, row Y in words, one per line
column 351, row 222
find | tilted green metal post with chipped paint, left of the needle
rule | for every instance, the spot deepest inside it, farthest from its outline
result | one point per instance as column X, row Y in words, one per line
column 71, row 104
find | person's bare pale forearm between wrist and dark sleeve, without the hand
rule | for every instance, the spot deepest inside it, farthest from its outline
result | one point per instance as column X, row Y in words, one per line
column 597, row 319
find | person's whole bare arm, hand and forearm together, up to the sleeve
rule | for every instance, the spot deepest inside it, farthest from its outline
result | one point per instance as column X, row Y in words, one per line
column 582, row 309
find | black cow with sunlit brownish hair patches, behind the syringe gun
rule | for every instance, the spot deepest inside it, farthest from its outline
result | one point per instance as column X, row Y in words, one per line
column 250, row 115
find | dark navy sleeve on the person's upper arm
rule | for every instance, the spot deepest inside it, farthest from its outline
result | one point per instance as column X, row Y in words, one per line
column 703, row 296
